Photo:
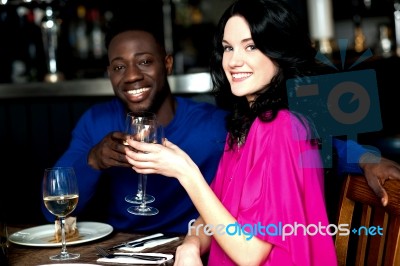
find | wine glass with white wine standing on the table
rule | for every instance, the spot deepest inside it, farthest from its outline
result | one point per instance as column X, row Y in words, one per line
column 60, row 196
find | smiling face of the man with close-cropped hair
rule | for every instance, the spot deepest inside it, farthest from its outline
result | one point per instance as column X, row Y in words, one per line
column 138, row 69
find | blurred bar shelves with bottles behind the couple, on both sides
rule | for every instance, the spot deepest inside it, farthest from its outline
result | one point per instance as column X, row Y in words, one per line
column 188, row 26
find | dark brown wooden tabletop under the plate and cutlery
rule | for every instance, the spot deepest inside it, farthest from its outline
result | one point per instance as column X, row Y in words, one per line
column 25, row 255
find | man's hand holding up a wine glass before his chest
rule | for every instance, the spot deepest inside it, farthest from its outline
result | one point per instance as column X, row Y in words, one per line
column 110, row 151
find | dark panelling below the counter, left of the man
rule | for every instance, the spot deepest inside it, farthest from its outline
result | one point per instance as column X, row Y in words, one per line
column 33, row 134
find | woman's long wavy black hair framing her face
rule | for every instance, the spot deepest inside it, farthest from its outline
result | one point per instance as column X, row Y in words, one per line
column 279, row 33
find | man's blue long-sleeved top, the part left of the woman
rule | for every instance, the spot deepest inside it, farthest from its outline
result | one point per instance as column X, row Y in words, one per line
column 197, row 128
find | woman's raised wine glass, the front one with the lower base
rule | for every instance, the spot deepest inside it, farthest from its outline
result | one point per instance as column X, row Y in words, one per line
column 144, row 130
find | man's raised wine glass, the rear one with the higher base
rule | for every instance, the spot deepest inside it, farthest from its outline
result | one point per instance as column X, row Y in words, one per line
column 132, row 118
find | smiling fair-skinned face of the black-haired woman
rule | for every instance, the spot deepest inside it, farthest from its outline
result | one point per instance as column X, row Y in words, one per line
column 247, row 68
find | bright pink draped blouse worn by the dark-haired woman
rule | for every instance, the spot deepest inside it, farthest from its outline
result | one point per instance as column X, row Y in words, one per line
column 275, row 181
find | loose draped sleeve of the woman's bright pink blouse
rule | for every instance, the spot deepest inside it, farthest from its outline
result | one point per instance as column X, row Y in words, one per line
column 284, row 188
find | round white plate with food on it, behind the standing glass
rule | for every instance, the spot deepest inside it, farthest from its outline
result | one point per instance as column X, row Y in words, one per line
column 43, row 235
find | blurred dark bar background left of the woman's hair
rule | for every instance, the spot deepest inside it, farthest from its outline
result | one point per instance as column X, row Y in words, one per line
column 80, row 51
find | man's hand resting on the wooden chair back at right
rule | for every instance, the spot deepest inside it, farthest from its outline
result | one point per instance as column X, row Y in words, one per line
column 377, row 170
